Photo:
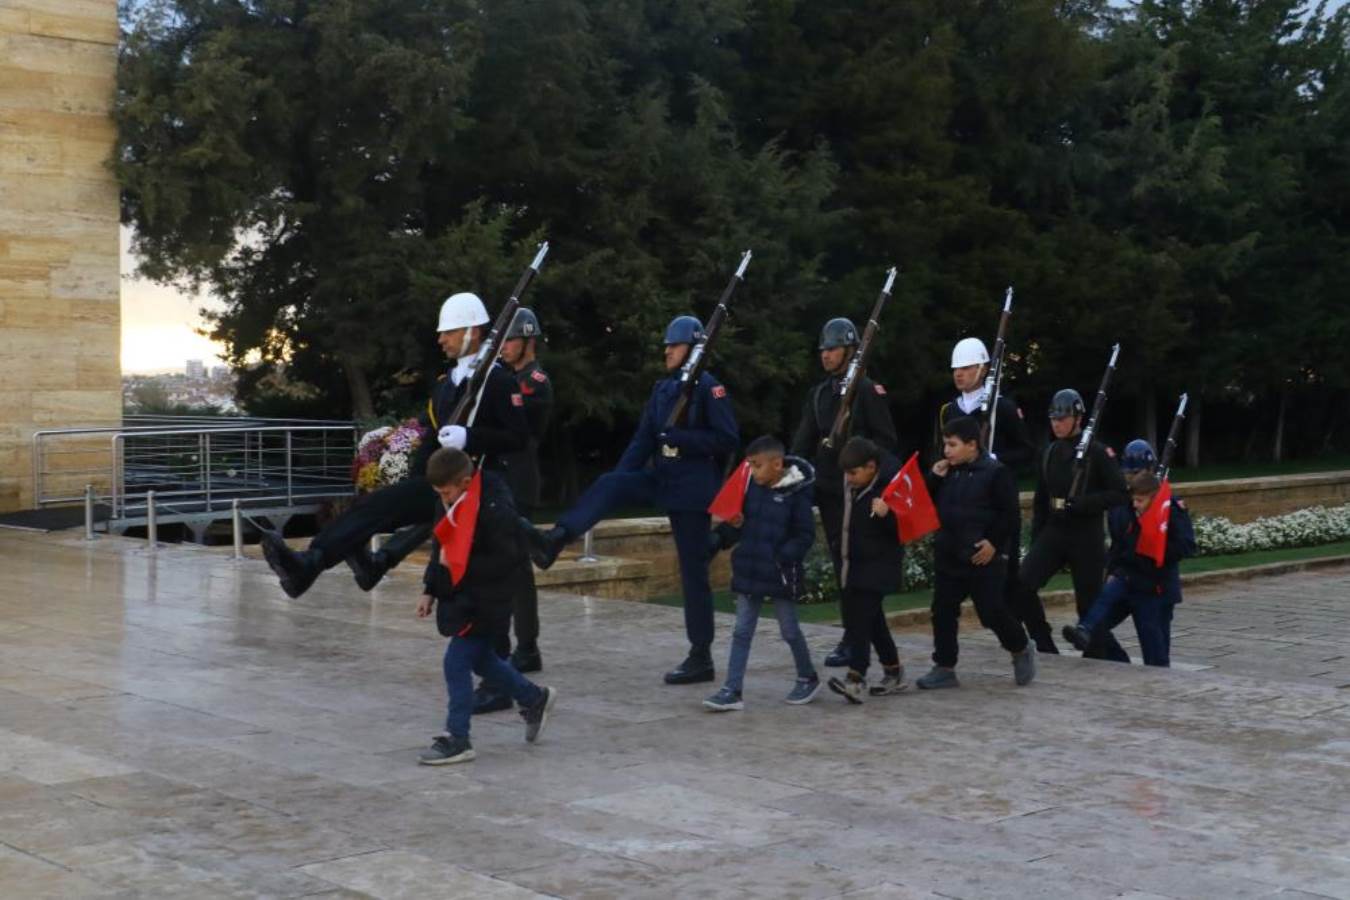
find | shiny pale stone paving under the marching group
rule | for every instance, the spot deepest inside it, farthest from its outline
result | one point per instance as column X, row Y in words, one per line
column 172, row 725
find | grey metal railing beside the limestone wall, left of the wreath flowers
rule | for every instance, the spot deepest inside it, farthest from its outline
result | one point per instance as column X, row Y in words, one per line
column 195, row 468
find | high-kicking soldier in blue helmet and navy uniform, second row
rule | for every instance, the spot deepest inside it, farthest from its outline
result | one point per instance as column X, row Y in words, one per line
column 680, row 470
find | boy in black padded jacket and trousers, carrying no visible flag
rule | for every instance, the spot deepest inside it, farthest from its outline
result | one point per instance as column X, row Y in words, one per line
column 978, row 505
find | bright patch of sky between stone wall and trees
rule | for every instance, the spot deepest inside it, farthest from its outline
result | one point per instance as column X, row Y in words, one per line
column 159, row 323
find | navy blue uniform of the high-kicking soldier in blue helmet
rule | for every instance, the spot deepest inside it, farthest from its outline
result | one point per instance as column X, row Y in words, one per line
column 682, row 485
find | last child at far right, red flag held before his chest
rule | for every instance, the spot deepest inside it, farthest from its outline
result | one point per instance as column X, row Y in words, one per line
column 1136, row 585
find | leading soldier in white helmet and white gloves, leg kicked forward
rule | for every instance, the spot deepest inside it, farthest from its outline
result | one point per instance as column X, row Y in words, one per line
column 499, row 428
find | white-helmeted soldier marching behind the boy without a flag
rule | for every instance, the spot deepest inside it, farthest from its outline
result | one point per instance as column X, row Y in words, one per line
column 1012, row 447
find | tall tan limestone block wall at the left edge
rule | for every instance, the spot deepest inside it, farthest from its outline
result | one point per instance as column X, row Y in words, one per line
column 60, row 318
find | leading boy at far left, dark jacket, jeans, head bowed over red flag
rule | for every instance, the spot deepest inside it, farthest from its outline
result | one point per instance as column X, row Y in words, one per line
column 473, row 612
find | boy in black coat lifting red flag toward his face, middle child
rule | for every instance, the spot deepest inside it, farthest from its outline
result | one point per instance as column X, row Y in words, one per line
column 871, row 563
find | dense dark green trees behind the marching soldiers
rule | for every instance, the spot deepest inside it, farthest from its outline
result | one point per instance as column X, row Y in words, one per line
column 1174, row 176
